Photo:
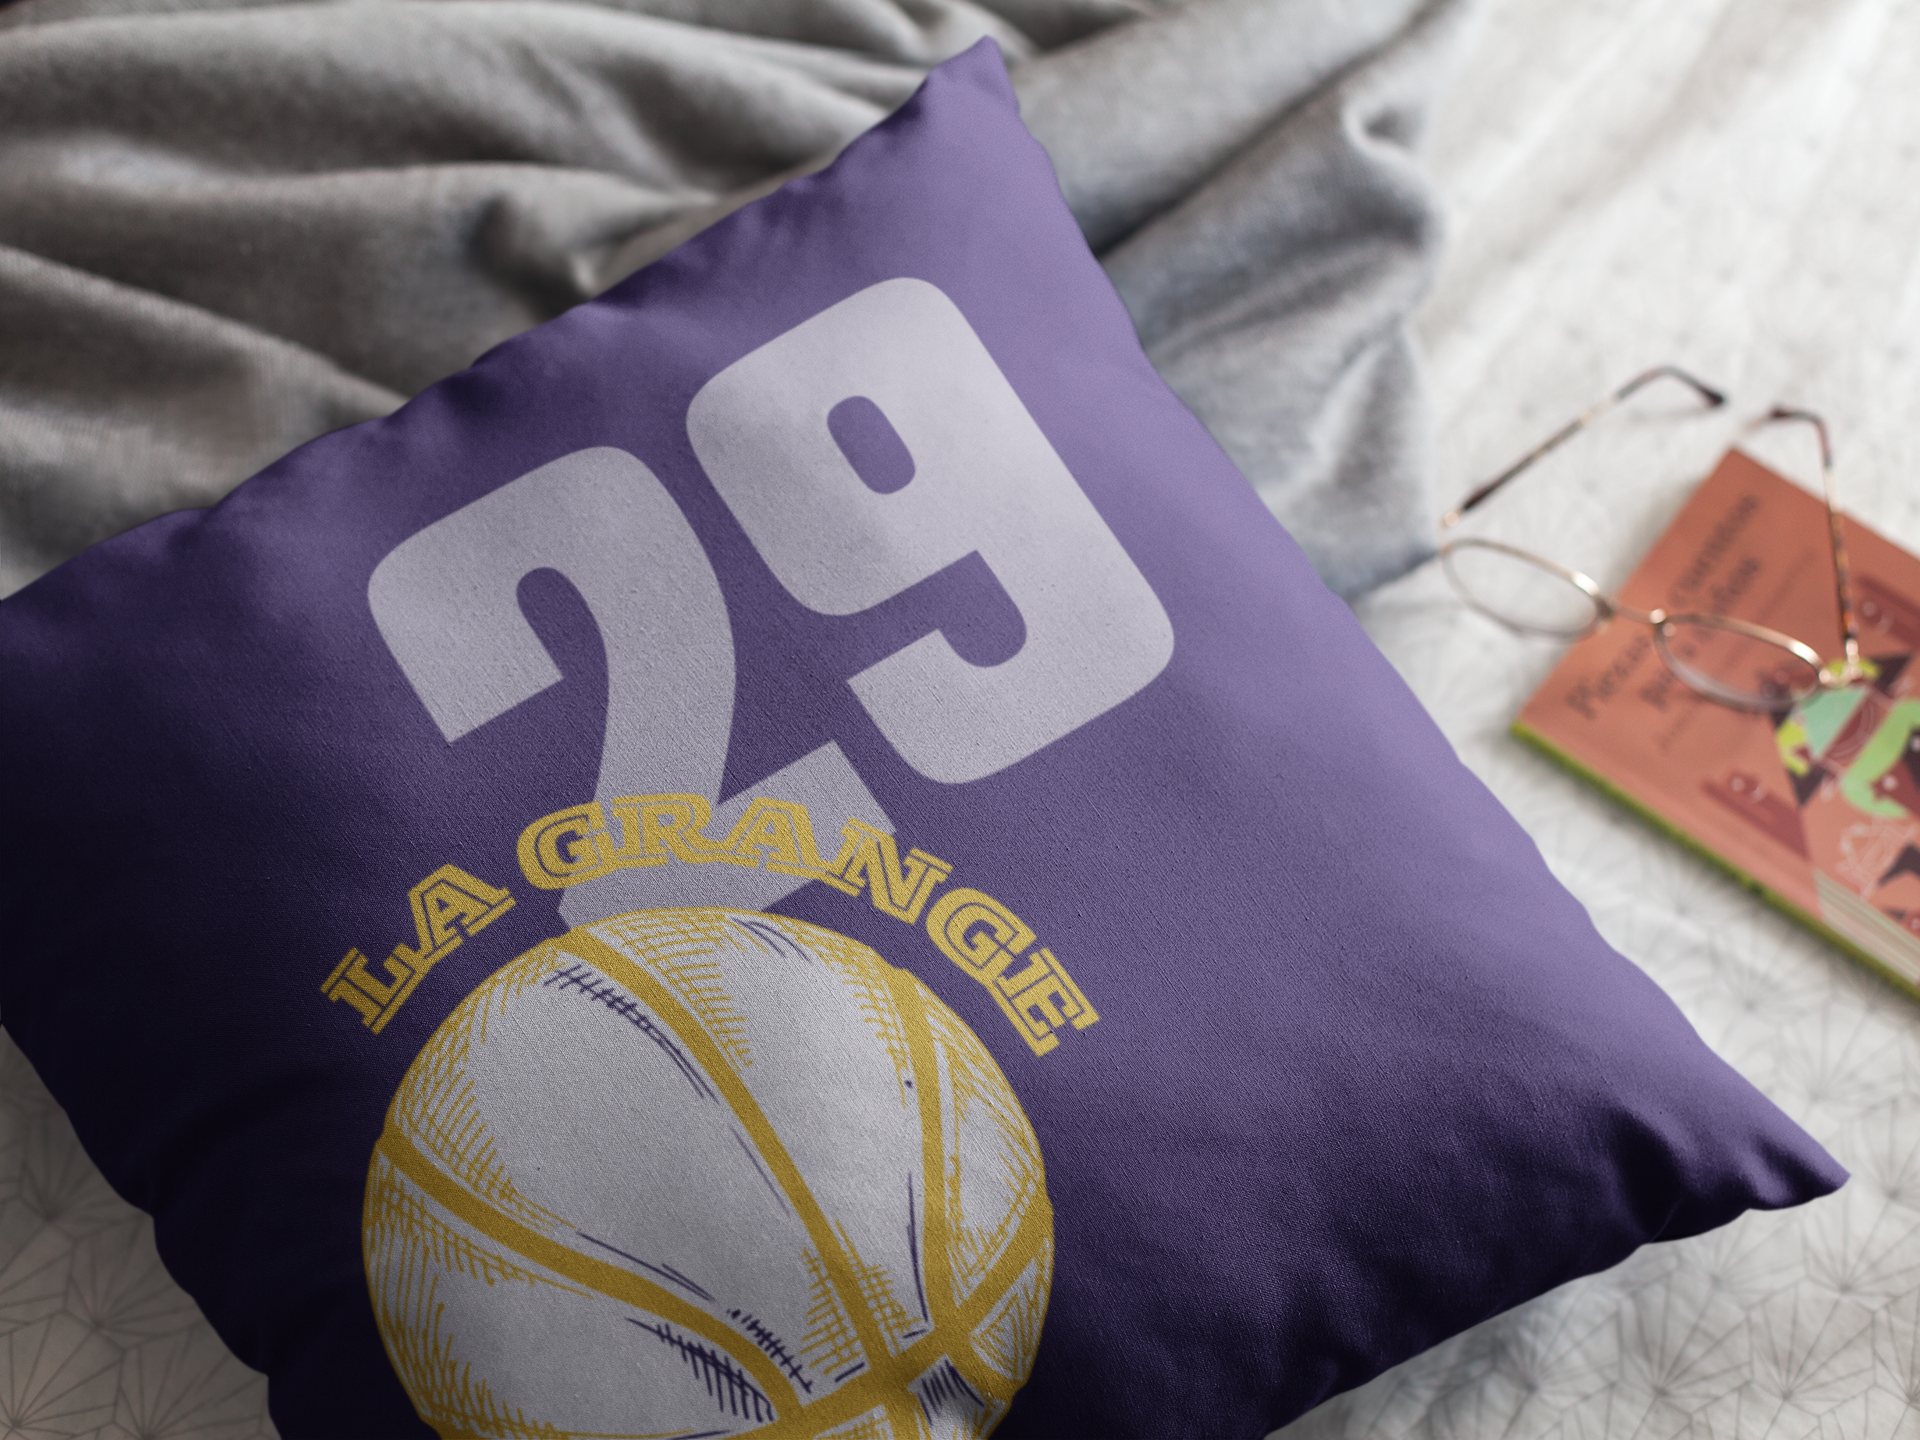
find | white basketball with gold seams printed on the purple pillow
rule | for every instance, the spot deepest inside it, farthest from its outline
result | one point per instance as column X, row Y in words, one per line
column 708, row 1174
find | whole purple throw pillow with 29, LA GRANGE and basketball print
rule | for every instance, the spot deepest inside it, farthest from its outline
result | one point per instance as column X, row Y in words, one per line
column 796, row 853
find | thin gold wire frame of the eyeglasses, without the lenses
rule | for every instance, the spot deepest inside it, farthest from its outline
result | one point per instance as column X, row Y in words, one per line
column 1836, row 673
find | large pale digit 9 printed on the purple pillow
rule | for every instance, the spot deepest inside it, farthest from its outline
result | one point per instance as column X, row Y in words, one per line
column 984, row 479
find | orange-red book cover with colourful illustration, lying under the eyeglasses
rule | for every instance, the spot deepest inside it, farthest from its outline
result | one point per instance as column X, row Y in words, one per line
column 1817, row 807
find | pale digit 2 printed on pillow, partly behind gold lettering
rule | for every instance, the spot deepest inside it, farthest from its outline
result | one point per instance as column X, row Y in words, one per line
column 448, row 608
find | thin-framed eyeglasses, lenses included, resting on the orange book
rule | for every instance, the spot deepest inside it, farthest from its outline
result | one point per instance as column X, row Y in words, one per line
column 1725, row 660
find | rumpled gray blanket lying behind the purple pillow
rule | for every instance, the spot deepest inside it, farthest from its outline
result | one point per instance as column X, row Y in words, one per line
column 228, row 228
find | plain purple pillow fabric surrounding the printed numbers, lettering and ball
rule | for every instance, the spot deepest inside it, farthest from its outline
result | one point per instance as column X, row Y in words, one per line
column 1364, row 1072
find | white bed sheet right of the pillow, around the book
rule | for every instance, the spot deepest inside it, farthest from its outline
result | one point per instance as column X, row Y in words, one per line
column 1733, row 187
